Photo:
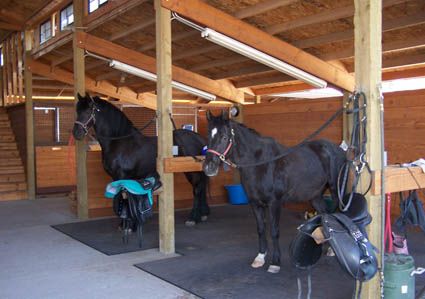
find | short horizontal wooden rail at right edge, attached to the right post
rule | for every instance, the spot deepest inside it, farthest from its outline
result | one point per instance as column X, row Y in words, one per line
column 399, row 179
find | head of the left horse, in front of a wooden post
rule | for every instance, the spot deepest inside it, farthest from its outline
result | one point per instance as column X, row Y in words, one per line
column 86, row 116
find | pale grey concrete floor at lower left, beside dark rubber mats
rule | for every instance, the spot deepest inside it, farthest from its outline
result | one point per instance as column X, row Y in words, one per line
column 37, row 261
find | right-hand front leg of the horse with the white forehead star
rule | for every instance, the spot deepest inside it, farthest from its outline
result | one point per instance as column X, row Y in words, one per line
column 274, row 212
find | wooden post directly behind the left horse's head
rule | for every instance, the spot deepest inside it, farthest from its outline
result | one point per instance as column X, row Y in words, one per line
column 79, row 87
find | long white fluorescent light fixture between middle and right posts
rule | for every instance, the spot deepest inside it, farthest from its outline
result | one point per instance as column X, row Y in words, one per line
column 254, row 54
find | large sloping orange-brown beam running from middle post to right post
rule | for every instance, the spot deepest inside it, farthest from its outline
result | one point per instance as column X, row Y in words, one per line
column 262, row 41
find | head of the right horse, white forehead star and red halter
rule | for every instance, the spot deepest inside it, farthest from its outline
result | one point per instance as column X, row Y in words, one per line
column 220, row 141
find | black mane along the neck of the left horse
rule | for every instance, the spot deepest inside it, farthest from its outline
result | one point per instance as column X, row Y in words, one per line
column 121, row 123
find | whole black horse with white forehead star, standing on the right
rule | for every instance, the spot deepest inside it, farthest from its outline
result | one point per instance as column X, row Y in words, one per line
column 301, row 174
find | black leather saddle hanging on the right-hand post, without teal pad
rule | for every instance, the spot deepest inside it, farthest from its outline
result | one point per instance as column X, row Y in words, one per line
column 345, row 233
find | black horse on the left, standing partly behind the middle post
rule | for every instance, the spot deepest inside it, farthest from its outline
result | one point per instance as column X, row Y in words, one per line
column 128, row 154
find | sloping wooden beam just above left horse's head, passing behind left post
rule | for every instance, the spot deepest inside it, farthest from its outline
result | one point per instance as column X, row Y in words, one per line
column 103, row 87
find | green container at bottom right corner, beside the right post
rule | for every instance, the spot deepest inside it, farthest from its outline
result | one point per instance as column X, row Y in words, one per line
column 398, row 281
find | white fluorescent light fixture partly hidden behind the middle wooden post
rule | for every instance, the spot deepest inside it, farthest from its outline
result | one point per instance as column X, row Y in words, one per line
column 152, row 77
